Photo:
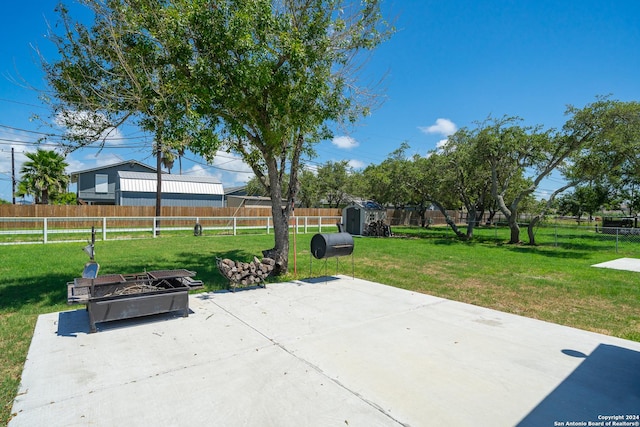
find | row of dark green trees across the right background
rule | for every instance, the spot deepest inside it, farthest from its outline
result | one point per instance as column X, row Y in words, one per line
column 498, row 166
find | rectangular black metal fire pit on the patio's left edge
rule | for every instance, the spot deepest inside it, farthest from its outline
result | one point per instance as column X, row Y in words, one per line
column 120, row 296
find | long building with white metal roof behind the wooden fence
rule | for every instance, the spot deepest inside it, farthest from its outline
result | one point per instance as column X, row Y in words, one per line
column 139, row 189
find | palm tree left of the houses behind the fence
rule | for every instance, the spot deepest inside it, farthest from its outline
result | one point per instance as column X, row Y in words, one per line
column 43, row 174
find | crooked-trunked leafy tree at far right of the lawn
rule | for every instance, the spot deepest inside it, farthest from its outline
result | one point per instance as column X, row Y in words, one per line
column 593, row 143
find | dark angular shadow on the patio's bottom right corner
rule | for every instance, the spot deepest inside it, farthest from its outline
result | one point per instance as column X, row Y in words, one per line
column 607, row 382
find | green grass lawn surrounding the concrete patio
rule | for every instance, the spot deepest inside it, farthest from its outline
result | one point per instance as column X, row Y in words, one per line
column 552, row 281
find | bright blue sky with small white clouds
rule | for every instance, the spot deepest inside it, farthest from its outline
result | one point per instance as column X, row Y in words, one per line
column 450, row 64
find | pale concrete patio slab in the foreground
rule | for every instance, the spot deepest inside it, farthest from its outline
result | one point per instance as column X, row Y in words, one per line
column 333, row 351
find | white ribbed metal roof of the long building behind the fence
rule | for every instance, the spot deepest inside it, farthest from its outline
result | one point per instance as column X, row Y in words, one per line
column 181, row 184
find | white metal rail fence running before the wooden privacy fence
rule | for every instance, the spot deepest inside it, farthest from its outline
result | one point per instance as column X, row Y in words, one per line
column 69, row 229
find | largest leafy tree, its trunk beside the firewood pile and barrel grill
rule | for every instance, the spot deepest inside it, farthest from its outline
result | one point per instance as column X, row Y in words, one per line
column 260, row 78
